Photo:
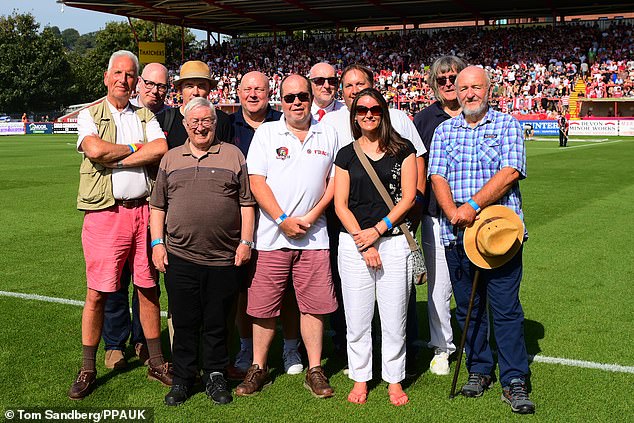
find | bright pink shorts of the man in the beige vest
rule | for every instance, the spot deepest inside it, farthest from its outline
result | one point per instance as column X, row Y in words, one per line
column 112, row 237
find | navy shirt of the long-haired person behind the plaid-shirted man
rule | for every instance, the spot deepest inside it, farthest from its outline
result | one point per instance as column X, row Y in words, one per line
column 426, row 122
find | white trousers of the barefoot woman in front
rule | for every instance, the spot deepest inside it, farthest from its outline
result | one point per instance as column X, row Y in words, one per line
column 361, row 288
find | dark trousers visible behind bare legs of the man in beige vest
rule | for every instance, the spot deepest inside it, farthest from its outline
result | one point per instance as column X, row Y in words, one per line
column 117, row 325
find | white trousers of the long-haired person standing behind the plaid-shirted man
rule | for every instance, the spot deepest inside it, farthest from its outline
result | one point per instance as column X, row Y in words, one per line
column 438, row 286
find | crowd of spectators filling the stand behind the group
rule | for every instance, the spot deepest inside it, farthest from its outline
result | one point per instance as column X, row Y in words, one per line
column 533, row 68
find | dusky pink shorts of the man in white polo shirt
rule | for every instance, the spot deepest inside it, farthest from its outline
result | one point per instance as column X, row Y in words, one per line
column 310, row 271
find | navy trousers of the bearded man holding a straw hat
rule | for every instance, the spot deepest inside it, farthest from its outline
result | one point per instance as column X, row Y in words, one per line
column 500, row 287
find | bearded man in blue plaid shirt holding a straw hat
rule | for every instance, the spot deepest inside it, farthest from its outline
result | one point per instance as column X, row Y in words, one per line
column 477, row 160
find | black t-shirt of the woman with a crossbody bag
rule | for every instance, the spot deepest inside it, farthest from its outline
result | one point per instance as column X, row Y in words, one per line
column 364, row 200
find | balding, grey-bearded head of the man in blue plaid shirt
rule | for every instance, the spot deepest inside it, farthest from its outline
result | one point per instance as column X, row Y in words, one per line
column 473, row 85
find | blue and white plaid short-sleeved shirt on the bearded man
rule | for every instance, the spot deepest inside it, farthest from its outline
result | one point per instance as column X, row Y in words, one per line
column 469, row 157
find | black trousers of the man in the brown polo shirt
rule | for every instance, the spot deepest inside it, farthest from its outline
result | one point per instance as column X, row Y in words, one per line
column 200, row 300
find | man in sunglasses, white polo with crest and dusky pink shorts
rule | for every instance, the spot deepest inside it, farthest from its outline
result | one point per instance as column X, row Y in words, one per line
column 290, row 166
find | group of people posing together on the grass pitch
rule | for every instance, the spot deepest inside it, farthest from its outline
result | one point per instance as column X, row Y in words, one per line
column 281, row 214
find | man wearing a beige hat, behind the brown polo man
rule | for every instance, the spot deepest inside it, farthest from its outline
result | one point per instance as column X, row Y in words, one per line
column 194, row 81
